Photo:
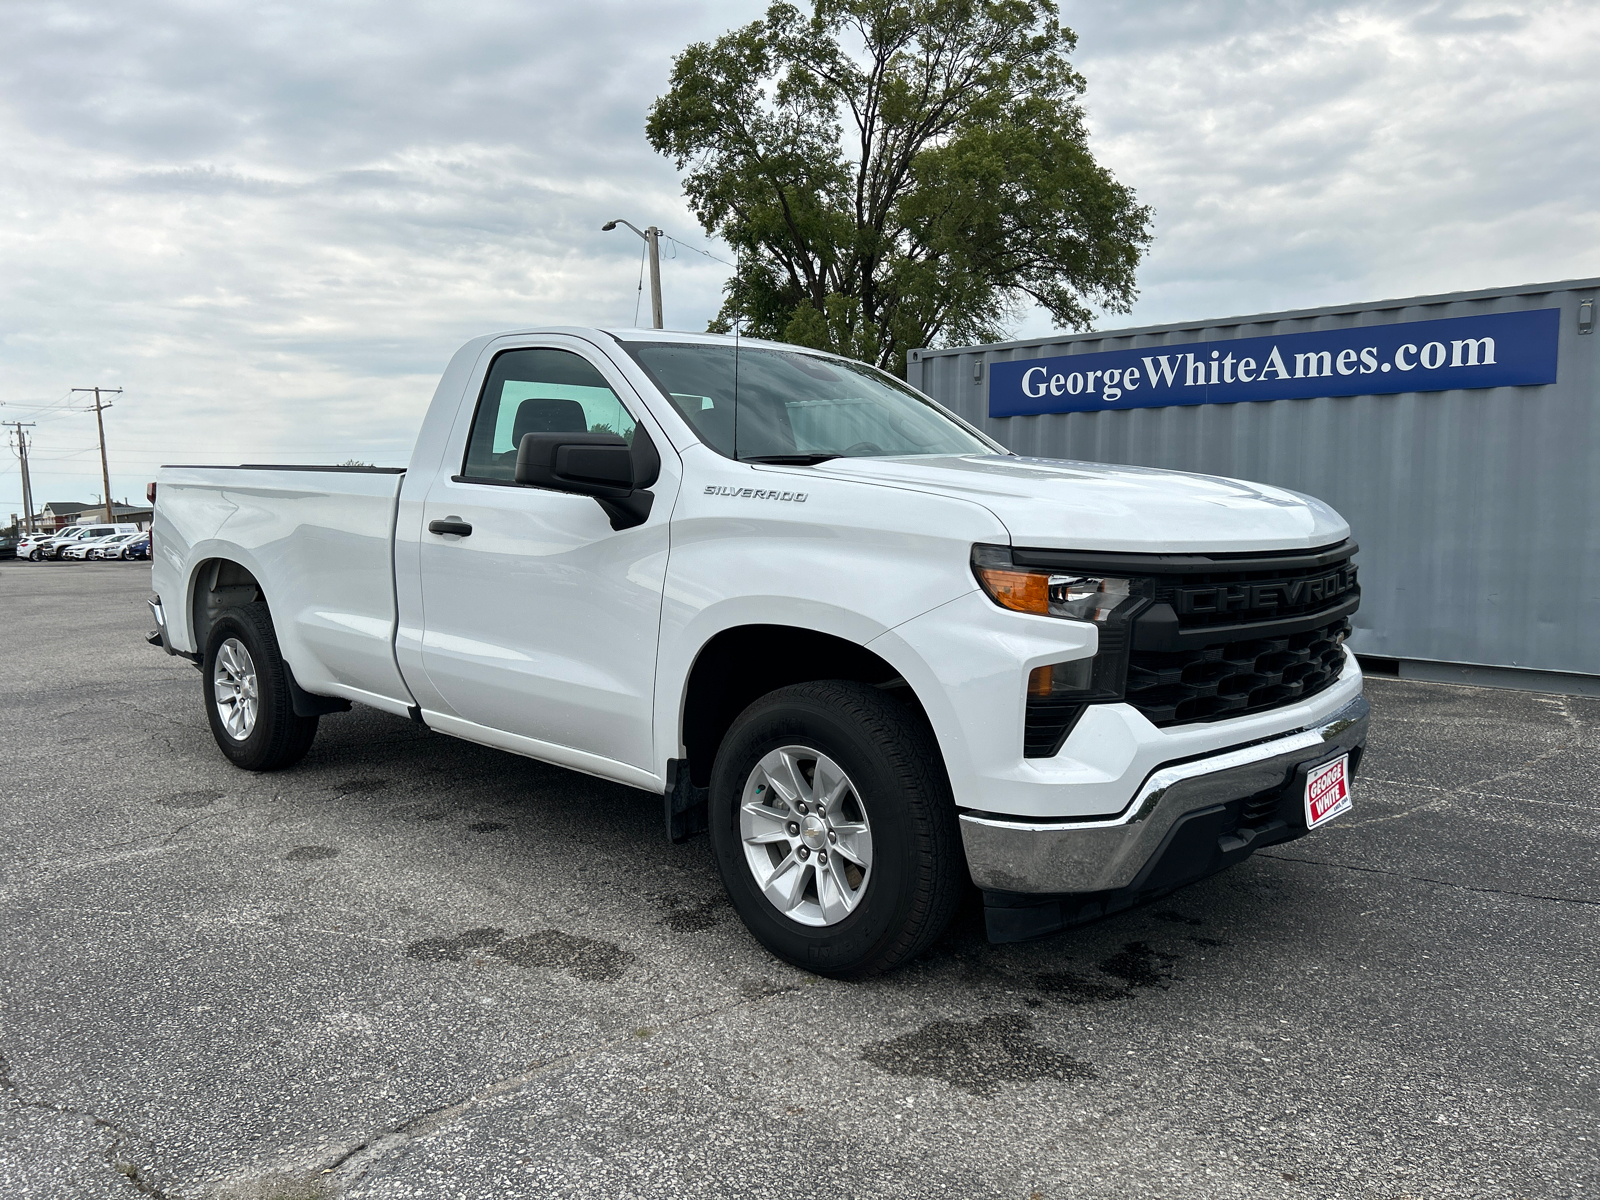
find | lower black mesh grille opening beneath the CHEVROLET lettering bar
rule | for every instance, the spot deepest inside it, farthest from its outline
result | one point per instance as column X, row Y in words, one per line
column 1233, row 679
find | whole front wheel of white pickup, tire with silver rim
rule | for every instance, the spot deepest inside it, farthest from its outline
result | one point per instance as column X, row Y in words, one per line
column 834, row 828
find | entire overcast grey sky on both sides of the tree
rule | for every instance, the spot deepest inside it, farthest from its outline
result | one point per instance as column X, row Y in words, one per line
column 271, row 225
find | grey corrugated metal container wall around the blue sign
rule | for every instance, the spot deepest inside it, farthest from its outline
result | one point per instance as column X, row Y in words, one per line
column 1478, row 511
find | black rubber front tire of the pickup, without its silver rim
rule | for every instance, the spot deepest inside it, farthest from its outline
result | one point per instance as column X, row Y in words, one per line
column 918, row 876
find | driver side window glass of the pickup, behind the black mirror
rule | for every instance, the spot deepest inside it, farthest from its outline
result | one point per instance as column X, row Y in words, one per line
column 538, row 391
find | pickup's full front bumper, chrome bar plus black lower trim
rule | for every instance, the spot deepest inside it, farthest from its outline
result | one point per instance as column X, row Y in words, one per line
column 1212, row 810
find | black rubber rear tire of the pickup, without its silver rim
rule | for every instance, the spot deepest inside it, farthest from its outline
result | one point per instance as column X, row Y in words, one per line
column 279, row 738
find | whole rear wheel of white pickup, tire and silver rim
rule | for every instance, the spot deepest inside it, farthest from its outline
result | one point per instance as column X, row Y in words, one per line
column 247, row 694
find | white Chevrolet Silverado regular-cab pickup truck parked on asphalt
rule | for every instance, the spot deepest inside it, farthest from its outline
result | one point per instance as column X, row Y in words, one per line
column 862, row 644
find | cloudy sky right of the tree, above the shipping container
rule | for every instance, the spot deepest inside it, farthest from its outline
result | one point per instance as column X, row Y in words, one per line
column 1305, row 154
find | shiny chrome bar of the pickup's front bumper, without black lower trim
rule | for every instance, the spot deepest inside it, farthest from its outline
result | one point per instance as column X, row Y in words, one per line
column 1108, row 854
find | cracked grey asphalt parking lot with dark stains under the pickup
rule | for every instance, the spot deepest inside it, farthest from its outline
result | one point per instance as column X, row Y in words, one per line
column 414, row 967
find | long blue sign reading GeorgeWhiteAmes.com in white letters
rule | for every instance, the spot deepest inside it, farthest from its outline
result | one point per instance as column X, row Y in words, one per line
column 1495, row 350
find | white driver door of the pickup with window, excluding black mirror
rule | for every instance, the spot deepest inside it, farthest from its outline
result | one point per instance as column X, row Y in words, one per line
column 542, row 622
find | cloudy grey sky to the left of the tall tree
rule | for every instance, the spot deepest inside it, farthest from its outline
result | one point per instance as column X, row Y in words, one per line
column 274, row 226
